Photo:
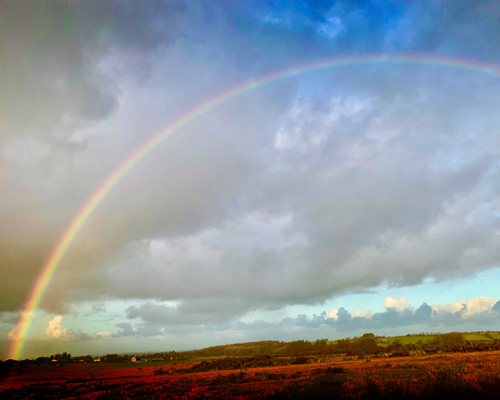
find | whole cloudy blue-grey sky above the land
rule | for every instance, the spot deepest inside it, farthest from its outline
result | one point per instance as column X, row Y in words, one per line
column 359, row 197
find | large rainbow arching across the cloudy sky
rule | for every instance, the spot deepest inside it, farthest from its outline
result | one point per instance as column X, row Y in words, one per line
column 20, row 332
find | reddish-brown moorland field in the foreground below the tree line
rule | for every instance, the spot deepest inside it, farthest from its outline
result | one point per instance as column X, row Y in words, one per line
column 451, row 376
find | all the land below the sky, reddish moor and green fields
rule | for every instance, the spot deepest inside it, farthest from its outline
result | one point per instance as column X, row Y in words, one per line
column 424, row 366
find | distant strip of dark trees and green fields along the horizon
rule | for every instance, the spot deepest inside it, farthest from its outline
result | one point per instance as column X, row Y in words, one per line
column 366, row 345
